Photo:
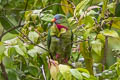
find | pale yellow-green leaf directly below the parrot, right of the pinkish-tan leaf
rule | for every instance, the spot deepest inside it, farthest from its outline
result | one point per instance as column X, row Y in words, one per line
column 65, row 71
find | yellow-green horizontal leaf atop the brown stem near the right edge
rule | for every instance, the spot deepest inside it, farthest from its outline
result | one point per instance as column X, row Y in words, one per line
column 110, row 33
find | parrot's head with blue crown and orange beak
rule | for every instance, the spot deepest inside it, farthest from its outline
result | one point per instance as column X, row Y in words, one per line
column 59, row 19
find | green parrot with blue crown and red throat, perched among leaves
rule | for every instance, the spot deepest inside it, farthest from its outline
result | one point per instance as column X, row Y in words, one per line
column 60, row 39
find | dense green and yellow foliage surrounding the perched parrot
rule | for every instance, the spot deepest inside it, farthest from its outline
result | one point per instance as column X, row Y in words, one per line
column 24, row 26
